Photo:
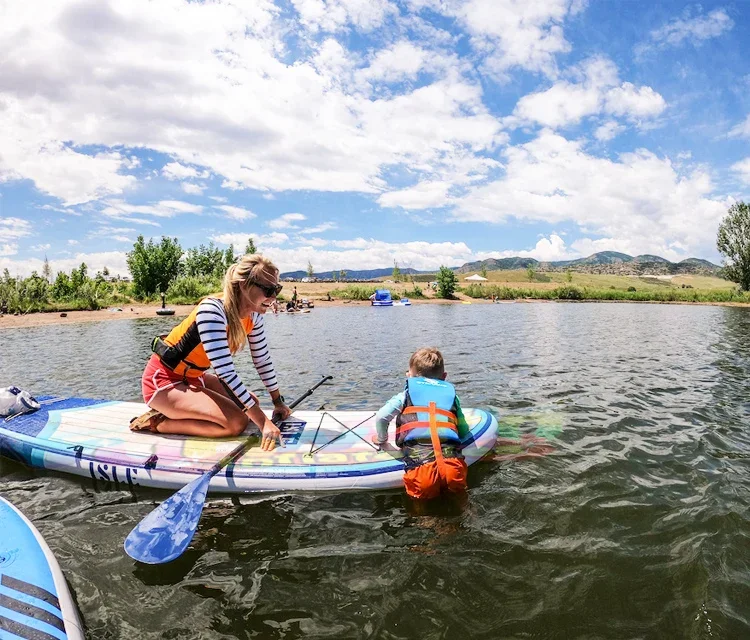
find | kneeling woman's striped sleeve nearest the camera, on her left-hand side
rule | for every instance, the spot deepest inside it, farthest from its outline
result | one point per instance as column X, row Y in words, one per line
column 211, row 320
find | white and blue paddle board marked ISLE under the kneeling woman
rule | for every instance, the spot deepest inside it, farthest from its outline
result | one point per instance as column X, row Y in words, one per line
column 324, row 450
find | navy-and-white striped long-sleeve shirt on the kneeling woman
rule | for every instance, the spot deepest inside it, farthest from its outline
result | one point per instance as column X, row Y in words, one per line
column 211, row 320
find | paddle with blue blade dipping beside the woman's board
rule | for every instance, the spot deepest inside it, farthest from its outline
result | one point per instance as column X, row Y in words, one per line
column 167, row 531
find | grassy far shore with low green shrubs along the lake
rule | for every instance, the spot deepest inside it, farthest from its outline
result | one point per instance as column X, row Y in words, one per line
column 79, row 291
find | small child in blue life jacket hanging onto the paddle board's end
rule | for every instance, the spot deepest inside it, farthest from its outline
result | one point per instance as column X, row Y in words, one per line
column 429, row 428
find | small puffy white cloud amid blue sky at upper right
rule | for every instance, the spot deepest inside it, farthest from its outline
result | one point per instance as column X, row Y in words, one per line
column 599, row 91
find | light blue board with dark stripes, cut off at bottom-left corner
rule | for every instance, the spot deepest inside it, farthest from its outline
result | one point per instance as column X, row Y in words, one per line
column 35, row 602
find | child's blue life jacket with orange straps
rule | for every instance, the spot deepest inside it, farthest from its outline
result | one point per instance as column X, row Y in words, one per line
column 429, row 415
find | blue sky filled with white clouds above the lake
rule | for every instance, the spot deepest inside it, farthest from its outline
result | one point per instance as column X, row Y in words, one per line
column 354, row 133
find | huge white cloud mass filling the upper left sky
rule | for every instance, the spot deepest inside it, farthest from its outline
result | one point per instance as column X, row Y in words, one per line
column 211, row 86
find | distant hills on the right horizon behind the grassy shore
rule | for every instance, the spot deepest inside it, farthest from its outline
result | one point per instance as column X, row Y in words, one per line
column 611, row 262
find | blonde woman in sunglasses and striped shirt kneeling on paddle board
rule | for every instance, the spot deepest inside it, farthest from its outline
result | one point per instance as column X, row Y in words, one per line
column 184, row 398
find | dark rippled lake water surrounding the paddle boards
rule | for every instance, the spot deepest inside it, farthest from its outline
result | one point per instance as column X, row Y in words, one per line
column 635, row 524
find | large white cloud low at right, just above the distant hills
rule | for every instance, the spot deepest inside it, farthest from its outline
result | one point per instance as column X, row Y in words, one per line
column 640, row 199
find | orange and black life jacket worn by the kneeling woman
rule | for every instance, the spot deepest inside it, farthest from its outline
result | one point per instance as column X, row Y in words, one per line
column 182, row 350
